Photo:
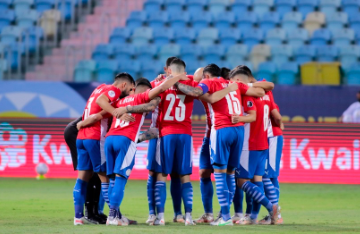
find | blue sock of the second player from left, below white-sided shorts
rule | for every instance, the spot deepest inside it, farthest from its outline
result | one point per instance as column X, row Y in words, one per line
column 117, row 195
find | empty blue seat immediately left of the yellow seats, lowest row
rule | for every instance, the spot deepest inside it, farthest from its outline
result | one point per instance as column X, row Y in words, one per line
column 287, row 73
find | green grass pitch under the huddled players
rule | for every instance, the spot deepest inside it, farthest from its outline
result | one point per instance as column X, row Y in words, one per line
column 46, row 206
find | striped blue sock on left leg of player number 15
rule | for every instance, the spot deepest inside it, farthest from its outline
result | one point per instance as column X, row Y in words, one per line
column 222, row 192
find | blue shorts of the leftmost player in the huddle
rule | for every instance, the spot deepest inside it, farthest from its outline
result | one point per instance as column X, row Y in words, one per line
column 90, row 157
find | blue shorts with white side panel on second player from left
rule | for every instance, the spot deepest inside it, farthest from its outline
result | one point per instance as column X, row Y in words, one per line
column 120, row 155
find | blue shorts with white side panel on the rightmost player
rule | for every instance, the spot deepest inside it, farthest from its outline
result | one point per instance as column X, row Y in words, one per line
column 272, row 166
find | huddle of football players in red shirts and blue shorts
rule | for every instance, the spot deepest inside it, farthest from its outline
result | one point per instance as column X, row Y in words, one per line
column 242, row 145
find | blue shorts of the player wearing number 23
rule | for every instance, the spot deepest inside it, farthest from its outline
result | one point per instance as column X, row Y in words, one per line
column 176, row 153
